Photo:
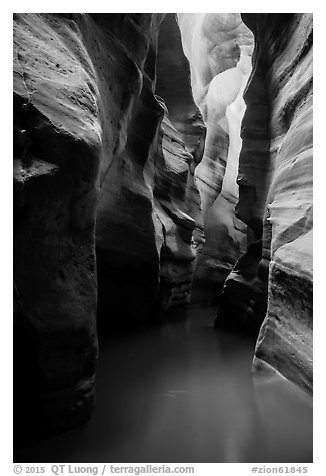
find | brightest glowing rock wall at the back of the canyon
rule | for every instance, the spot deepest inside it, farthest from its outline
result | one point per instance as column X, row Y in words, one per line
column 219, row 48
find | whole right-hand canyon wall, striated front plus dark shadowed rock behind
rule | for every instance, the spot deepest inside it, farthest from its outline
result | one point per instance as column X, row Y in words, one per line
column 273, row 280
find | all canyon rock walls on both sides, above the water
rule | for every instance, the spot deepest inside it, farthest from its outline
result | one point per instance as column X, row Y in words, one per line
column 112, row 197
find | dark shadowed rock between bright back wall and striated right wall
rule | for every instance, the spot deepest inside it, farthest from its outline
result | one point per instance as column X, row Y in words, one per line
column 243, row 300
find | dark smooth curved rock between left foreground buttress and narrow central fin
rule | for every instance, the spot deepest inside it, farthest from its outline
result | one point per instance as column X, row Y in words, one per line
column 127, row 254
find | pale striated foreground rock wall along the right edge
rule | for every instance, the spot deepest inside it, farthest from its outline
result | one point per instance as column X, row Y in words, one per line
column 285, row 54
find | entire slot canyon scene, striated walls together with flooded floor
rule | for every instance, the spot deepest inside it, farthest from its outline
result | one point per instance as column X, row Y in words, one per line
column 163, row 237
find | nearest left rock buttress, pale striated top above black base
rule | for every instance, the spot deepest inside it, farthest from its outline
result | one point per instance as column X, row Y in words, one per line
column 57, row 141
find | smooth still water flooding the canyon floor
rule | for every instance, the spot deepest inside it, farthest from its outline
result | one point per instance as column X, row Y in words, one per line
column 184, row 392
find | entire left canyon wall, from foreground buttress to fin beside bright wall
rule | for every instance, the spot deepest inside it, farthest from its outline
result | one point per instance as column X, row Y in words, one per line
column 93, row 143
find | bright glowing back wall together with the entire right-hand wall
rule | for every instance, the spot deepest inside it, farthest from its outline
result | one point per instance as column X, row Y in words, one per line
column 257, row 205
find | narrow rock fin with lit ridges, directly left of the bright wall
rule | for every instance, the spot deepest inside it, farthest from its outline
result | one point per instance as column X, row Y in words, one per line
column 177, row 200
